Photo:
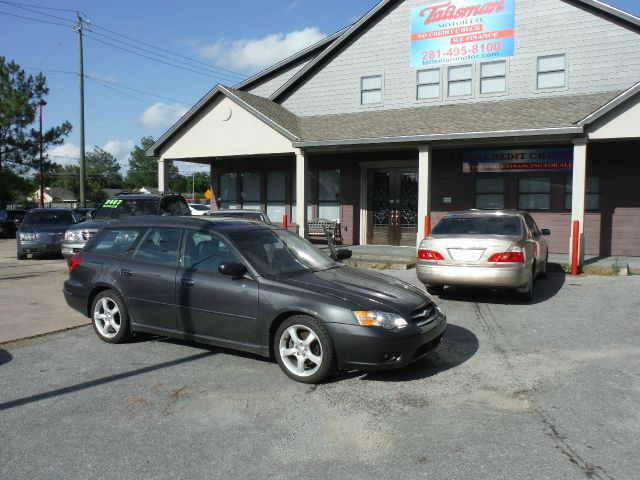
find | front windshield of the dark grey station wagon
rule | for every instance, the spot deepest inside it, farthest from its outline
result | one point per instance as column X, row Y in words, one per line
column 277, row 252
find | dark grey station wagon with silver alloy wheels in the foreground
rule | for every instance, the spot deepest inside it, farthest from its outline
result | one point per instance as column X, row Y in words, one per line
column 249, row 286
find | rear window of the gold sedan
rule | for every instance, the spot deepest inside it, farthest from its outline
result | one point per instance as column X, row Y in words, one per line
column 497, row 225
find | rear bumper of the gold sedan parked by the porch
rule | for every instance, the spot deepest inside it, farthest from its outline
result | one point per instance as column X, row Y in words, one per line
column 508, row 276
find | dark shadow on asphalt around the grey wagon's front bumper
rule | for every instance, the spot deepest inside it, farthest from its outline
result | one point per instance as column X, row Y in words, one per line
column 458, row 346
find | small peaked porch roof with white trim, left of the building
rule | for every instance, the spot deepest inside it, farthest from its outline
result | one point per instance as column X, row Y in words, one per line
column 271, row 113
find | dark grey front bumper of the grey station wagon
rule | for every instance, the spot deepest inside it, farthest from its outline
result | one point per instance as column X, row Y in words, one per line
column 372, row 348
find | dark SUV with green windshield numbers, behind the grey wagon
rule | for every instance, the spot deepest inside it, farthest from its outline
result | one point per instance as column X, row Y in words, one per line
column 122, row 206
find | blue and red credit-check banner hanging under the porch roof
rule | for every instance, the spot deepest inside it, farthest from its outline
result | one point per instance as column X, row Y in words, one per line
column 518, row 160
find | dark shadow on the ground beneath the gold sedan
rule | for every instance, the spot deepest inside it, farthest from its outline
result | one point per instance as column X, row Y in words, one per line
column 545, row 288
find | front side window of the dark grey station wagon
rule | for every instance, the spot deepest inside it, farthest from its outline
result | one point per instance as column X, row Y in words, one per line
column 205, row 252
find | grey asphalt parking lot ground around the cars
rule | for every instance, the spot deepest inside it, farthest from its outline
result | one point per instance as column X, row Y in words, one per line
column 546, row 390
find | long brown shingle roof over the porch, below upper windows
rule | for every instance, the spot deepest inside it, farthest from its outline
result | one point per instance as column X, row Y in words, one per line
column 523, row 114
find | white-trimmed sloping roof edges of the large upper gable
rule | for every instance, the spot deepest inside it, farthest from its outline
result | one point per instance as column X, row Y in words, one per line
column 385, row 5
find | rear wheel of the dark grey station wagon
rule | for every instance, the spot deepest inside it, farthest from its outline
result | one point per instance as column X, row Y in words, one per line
column 109, row 317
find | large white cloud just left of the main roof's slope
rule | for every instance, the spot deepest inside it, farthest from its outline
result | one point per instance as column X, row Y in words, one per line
column 251, row 54
